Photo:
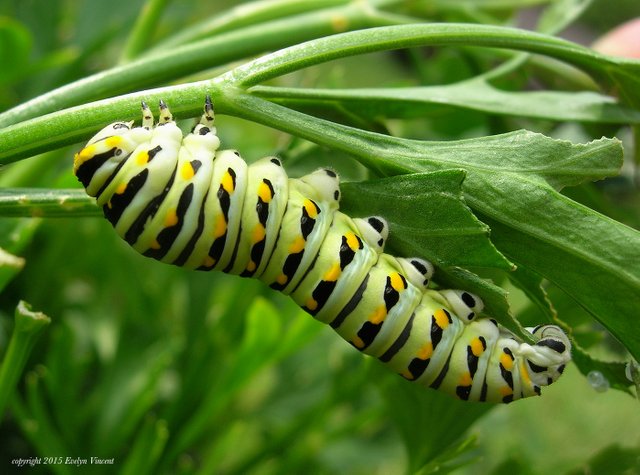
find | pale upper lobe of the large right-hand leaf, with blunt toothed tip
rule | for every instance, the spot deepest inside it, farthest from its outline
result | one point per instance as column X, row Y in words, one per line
column 499, row 159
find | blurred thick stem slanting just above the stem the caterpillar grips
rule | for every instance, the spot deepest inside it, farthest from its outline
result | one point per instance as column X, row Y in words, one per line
column 173, row 63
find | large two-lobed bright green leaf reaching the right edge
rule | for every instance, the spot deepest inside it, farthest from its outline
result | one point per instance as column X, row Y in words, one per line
column 591, row 257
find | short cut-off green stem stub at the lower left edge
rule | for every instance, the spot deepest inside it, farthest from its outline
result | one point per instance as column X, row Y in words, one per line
column 28, row 326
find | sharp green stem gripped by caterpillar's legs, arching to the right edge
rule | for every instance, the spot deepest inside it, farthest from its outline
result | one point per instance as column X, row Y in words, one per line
column 71, row 125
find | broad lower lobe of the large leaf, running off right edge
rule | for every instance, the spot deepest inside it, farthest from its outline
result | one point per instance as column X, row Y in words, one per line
column 592, row 258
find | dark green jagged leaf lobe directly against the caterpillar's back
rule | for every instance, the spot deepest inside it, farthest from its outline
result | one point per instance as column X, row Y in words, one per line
column 427, row 217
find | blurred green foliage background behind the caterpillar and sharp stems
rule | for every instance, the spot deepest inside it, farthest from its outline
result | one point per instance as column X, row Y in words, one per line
column 165, row 370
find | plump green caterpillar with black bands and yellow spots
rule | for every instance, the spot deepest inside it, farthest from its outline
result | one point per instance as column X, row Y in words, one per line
column 183, row 201
